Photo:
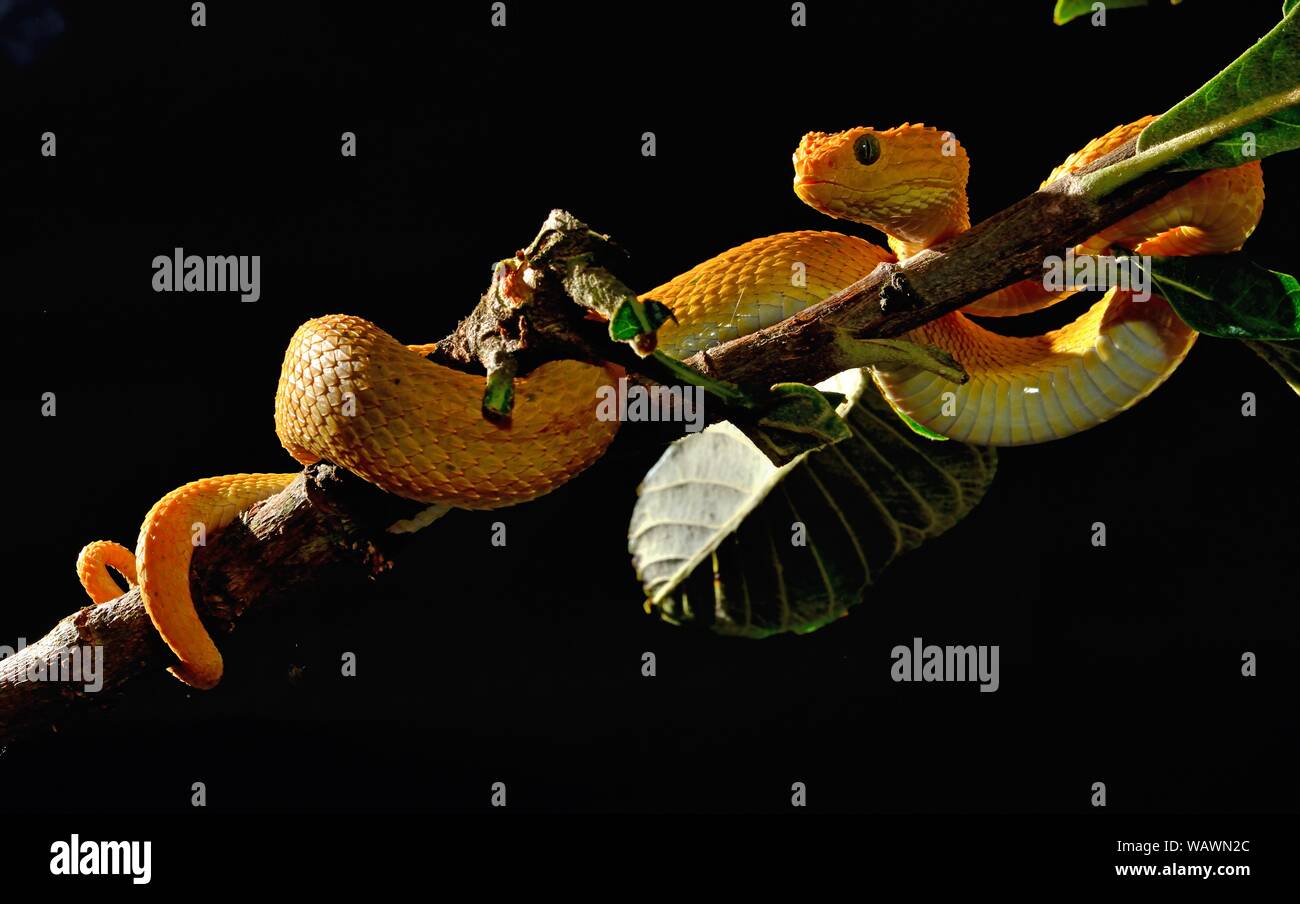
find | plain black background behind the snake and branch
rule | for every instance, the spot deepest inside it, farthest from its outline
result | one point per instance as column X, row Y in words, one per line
column 479, row 664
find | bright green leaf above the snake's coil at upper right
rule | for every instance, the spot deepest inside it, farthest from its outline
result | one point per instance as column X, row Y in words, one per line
column 1255, row 96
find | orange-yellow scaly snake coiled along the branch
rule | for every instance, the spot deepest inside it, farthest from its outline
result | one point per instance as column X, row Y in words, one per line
column 353, row 395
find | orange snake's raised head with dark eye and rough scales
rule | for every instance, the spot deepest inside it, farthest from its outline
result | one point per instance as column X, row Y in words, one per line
column 909, row 181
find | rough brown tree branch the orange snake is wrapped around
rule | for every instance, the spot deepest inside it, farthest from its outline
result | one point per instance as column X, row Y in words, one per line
column 328, row 527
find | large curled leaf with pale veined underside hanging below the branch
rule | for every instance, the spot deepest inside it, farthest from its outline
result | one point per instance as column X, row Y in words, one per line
column 712, row 534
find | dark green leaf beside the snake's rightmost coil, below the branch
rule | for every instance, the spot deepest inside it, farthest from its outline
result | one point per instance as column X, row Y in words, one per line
column 1228, row 296
